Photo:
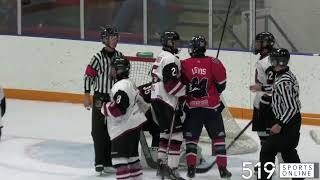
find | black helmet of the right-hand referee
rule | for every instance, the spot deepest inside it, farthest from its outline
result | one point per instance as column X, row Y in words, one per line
column 279, row 57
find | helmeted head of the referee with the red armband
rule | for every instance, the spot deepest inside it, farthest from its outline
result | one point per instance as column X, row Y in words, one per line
column 109, row 36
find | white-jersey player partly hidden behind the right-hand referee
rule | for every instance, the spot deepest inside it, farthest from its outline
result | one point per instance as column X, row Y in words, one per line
column 262, row 112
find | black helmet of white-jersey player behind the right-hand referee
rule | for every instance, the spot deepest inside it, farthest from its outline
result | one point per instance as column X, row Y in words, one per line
column 267, row 41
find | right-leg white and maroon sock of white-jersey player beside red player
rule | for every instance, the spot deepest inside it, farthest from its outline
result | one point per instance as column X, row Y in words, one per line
column 174, row 150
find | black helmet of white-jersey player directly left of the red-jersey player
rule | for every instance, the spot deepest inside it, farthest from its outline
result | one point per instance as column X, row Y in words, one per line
column 168, row 39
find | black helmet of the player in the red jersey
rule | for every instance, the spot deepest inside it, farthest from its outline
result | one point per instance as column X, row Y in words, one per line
column 197, row 45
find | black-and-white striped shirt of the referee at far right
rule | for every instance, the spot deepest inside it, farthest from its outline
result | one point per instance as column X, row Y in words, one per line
column 285, row 96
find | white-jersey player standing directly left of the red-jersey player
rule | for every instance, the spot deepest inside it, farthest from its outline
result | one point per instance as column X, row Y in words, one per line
column 165, row 91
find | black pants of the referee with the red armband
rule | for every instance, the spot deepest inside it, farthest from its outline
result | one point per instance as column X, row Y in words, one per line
column 99, row 132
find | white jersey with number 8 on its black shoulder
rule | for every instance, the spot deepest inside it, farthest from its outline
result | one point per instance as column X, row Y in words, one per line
column 119, row 123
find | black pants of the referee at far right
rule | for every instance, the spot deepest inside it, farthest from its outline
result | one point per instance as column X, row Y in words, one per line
column 285, row 142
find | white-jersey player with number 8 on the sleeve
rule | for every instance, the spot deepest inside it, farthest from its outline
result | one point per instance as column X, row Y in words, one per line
column 125, row 116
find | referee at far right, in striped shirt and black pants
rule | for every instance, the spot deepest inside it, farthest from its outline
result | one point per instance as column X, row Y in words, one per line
column 285, row 131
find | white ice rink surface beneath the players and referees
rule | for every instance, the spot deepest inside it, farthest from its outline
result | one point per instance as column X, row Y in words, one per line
column 52, row 141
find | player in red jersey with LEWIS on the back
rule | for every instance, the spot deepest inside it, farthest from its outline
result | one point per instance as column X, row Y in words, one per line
column 206, row 77
